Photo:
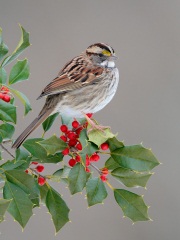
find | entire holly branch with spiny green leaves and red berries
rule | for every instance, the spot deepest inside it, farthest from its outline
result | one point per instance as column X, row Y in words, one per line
column 77, row 147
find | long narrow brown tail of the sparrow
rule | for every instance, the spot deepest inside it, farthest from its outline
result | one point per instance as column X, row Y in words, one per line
column 37, row 121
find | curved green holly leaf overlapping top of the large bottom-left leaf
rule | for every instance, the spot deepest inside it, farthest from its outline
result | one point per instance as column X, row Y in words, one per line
column 26, row 182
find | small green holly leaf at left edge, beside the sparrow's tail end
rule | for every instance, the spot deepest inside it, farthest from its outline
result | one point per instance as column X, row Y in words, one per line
column 6, row 131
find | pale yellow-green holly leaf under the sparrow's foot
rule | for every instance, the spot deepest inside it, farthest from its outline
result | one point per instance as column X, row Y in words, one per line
column 98, row 137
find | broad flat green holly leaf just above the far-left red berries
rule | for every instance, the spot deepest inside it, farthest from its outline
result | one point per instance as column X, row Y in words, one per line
column 19, row 72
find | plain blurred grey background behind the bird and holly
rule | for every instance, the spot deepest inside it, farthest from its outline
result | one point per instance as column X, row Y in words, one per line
column 146, row 37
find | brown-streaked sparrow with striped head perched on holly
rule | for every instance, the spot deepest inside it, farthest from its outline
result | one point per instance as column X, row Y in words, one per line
column 86, row 84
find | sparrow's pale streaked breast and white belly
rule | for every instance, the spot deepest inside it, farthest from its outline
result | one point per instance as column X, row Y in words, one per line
column 89, row 99
